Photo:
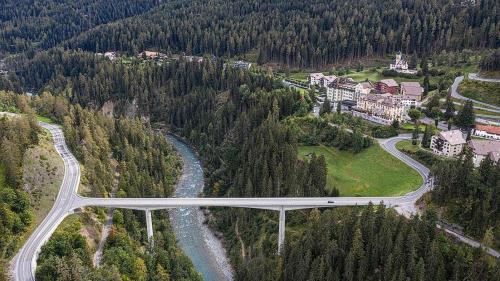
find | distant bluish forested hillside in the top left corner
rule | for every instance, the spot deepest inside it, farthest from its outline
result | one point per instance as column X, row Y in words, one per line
column 26, row 24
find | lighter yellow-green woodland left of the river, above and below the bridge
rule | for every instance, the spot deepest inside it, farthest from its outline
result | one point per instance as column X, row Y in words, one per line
column 121, row 156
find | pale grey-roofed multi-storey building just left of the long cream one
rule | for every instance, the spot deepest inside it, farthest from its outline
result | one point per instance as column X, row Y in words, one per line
column 343, row 89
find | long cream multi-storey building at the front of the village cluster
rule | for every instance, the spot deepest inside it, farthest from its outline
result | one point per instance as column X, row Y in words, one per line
column 385, row 108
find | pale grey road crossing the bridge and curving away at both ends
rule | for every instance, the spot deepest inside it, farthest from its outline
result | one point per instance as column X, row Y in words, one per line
column 24, row 263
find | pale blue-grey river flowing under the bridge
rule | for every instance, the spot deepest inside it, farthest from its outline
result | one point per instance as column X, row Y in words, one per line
column 196, row 240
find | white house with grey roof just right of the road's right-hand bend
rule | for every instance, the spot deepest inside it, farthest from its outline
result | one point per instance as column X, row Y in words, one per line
column 448, row 143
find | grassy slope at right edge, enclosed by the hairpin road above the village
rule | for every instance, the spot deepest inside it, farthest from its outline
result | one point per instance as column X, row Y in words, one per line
column 481, row 91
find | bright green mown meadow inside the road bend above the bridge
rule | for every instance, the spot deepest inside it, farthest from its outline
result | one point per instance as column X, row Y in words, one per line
column 372, row 172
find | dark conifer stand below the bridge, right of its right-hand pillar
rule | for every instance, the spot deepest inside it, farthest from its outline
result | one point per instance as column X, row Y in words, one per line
column 372, row 243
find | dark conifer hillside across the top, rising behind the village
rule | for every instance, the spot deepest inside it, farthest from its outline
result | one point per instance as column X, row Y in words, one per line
column 301, row 33
